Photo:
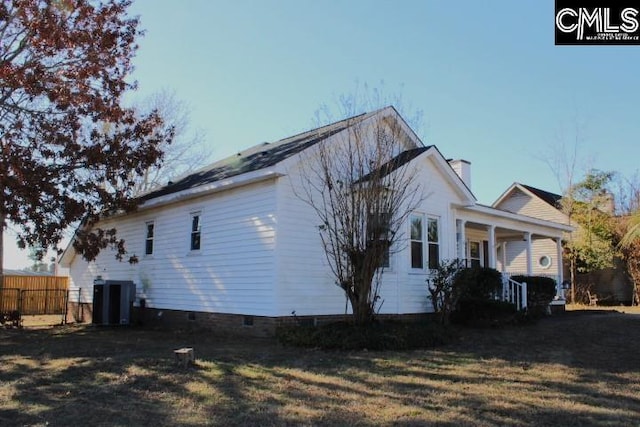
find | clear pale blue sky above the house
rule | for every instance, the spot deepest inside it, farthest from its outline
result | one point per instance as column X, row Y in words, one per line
column 493, row 87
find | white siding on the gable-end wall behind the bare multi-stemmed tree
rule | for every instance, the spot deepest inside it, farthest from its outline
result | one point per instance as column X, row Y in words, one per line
column 304, row 281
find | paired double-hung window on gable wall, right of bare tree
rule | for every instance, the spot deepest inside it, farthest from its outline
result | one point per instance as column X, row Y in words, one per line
column 425, row 242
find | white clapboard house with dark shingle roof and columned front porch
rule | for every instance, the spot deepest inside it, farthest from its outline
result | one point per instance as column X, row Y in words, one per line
column 231, row 245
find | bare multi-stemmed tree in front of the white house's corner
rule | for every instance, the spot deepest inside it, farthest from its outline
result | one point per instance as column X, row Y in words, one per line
column 361, row 185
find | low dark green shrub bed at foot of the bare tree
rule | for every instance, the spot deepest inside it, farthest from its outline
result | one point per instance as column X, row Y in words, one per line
column 387, row 335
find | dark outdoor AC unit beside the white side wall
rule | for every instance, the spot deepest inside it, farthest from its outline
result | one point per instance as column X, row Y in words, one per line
column 112, row 301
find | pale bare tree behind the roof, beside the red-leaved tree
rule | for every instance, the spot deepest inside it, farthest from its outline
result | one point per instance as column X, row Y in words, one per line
column 186, row 152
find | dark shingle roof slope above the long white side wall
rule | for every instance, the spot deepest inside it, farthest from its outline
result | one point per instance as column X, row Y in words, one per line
column 255, row 158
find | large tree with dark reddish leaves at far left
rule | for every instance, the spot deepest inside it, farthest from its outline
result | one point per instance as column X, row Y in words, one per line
column 67, row 145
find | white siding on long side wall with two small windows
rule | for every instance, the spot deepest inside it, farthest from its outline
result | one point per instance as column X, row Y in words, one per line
column 232, row 273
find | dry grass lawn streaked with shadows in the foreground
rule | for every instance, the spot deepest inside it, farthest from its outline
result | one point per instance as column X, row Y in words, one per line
column 580, row 368
